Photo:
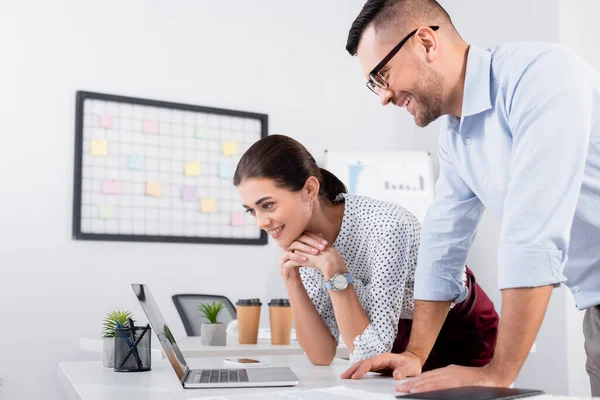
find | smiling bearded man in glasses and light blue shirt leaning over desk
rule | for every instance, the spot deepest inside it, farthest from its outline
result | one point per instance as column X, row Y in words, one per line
column 521, row 136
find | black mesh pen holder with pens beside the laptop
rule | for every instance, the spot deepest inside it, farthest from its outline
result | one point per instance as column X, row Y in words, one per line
column 132, row 349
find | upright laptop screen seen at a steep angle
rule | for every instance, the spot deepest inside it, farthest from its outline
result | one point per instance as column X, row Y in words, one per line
column 160, row 327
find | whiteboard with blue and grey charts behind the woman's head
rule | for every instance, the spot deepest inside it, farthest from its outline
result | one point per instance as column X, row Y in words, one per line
column 404, row 177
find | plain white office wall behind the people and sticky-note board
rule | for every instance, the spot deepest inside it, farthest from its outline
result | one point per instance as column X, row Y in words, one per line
column 283, row 58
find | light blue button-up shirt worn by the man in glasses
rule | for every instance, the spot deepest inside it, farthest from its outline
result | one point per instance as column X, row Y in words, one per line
column 527, row 147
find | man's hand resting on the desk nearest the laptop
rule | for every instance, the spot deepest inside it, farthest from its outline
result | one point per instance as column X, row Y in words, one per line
column 403, row 365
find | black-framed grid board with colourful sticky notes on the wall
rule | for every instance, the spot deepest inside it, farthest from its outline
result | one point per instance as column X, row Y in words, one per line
column 155, row 171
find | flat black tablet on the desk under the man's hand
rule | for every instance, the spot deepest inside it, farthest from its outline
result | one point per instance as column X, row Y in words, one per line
column 474, row 393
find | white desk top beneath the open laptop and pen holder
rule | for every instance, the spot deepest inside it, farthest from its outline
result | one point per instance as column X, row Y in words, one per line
column 91, row 381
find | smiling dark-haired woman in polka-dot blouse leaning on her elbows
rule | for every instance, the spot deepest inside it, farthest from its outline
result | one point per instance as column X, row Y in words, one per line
column 348, row 262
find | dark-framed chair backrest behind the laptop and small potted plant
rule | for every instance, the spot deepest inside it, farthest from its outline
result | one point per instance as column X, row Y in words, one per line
column 187, row 307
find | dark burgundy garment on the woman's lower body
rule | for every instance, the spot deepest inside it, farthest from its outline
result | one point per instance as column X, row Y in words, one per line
column 468, row 336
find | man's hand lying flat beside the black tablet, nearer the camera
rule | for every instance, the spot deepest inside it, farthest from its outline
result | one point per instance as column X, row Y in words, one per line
column 451, row 377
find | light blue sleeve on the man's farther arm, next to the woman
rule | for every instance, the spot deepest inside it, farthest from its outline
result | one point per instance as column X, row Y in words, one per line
column 448, row 232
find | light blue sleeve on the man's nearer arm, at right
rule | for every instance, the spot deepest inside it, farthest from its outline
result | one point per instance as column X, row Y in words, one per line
column 551, row 119
